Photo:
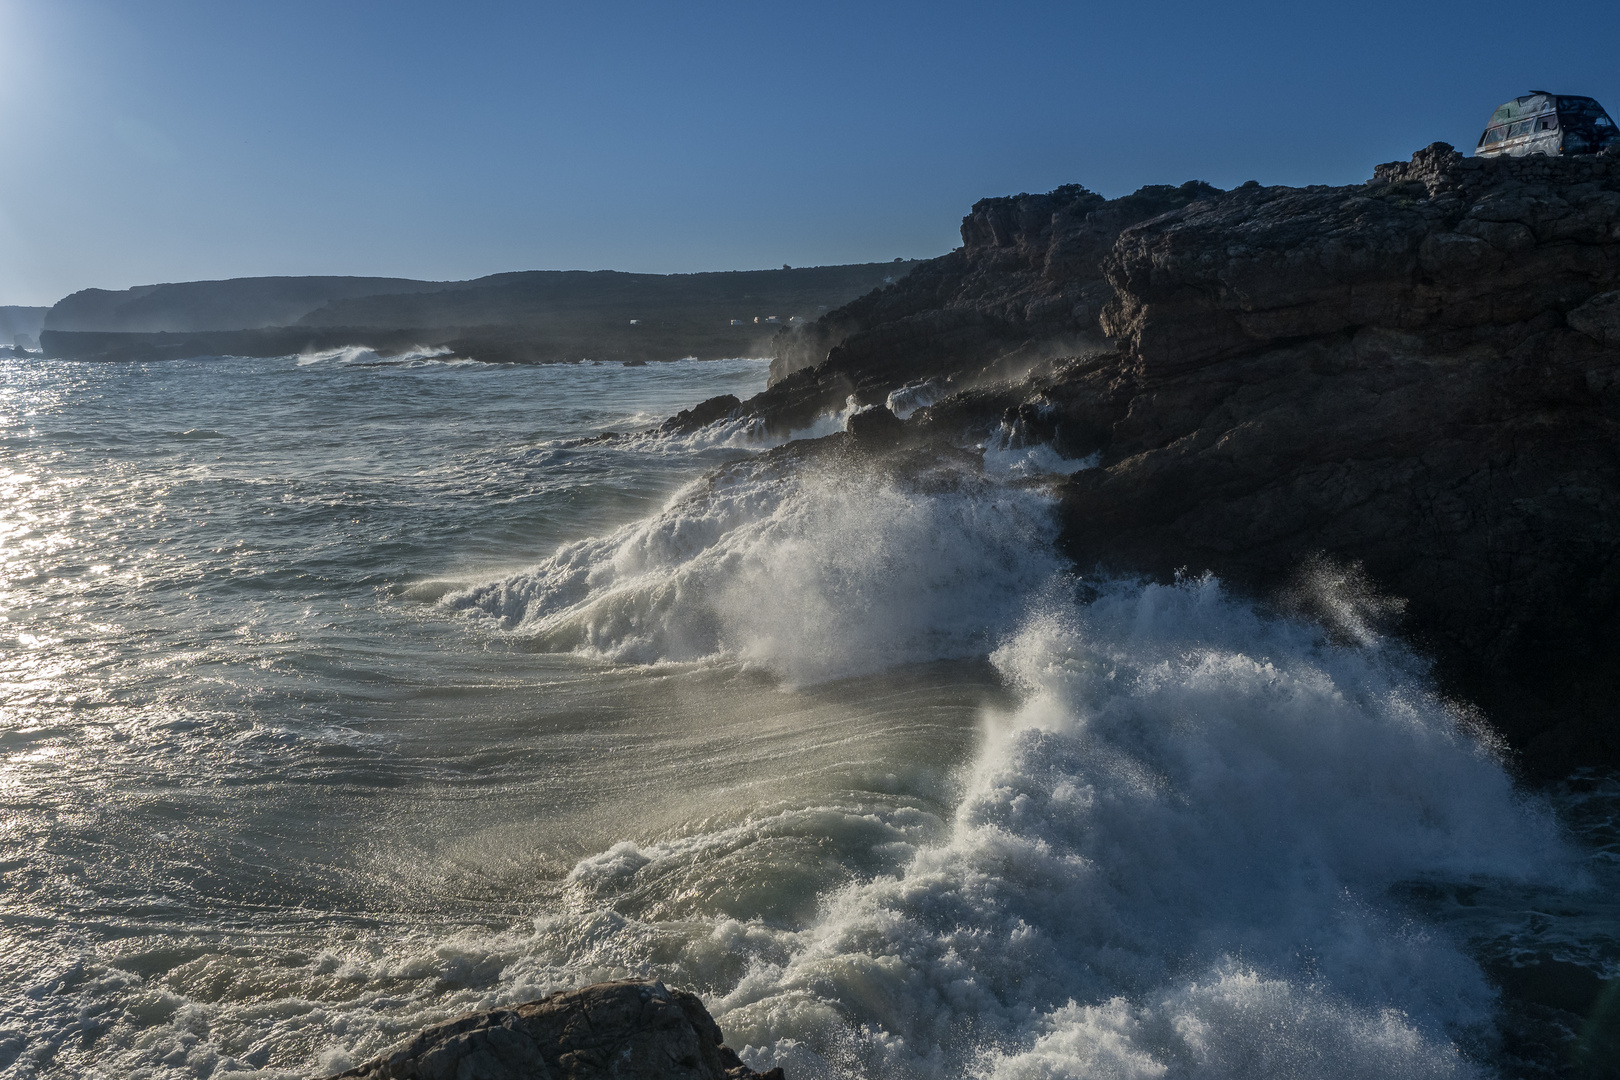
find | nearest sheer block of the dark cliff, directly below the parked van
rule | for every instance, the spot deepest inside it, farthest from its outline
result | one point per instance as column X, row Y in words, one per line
column 1417, row 375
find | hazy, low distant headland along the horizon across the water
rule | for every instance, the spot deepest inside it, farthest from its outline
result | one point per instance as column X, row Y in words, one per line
column 539, row 317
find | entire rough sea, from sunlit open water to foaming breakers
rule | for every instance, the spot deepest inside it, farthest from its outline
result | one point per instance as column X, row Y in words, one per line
column 347, row 695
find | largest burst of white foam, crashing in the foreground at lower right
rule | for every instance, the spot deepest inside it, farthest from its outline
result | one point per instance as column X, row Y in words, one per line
column 1174, row 861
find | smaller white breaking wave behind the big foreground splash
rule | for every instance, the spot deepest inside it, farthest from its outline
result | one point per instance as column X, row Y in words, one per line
column 808, row 574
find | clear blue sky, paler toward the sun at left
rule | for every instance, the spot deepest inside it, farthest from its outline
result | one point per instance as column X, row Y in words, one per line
column 174, row 140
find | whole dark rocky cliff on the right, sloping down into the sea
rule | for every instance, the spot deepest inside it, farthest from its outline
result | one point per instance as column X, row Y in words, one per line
column 1407, row 391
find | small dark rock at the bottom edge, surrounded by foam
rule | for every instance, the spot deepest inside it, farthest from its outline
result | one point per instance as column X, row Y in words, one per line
column 612, row 1032
